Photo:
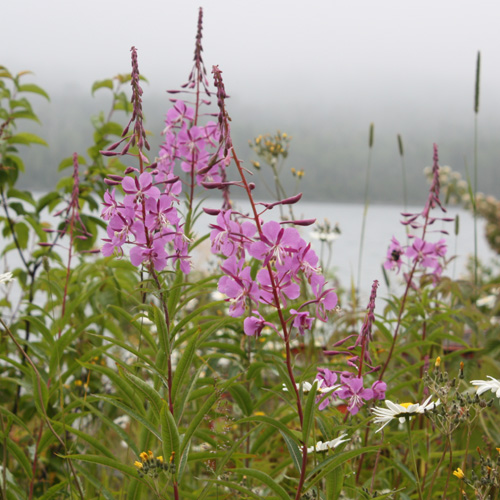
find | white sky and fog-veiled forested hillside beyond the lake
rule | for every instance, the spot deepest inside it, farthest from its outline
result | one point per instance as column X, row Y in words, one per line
column 321, row 73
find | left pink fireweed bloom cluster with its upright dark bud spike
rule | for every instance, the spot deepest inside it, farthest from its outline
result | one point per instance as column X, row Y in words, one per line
column 147, row 217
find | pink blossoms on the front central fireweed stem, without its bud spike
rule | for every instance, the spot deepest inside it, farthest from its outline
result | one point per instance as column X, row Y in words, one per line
column 285, row 259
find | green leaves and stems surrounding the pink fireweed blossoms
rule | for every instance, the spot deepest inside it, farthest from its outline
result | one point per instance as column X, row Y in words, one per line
column 119, row 382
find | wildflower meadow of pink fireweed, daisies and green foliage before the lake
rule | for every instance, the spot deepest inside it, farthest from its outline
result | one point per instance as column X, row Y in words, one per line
column 147, row 355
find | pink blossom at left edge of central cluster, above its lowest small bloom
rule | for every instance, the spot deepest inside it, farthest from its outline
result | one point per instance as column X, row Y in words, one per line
column 238, row 285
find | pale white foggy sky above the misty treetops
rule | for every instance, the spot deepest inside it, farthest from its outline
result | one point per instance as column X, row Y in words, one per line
column 362, row 48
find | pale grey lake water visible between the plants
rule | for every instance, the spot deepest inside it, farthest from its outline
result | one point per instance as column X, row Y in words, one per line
column 382, row 223
